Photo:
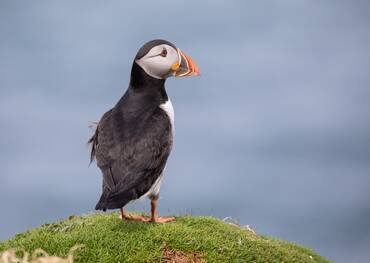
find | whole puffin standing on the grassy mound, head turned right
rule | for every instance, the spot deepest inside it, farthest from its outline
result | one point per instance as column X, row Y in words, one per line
column 132, row 141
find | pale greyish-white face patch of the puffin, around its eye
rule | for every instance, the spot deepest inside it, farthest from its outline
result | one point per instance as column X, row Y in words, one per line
column 156, row 65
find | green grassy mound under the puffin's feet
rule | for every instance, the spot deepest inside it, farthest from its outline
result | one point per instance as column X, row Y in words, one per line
column 106, row 238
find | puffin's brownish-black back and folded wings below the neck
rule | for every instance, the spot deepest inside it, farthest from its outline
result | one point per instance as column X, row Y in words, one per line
column 131, row 154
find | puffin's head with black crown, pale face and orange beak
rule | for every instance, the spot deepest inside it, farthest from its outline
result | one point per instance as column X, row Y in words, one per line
column 161, row 59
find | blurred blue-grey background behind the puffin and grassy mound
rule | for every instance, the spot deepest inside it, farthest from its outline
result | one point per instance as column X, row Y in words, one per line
column 275, row 133
